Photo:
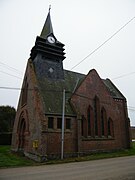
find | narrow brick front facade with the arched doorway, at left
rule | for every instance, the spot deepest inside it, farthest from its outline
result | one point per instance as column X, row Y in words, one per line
column 32, row 113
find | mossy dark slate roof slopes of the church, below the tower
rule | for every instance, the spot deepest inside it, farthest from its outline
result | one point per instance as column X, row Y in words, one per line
column 52, row 92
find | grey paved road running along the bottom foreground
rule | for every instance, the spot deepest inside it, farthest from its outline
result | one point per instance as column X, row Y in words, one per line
column 107, row 169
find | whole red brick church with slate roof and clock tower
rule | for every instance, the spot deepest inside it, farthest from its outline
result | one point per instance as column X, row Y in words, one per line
column 95, row 117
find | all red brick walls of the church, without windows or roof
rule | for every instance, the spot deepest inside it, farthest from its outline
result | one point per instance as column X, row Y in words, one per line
column 41, row 141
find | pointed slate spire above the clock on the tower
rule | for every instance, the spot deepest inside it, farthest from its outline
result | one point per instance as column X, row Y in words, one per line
column 47, row 29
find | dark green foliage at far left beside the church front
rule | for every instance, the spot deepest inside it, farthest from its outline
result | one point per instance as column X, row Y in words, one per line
column 7, row 116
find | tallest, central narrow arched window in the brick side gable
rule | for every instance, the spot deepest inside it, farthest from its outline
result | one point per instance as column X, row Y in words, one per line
column 97, row 115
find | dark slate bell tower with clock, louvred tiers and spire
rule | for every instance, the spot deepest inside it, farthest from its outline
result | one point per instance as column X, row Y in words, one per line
column 48, row 53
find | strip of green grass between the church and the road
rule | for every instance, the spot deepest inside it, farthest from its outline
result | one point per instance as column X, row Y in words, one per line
column 8, row 159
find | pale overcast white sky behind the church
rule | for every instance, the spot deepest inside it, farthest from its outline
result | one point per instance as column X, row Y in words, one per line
column 103, row 30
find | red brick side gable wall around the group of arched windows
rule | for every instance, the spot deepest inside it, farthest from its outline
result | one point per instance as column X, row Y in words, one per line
column 93, row 86
